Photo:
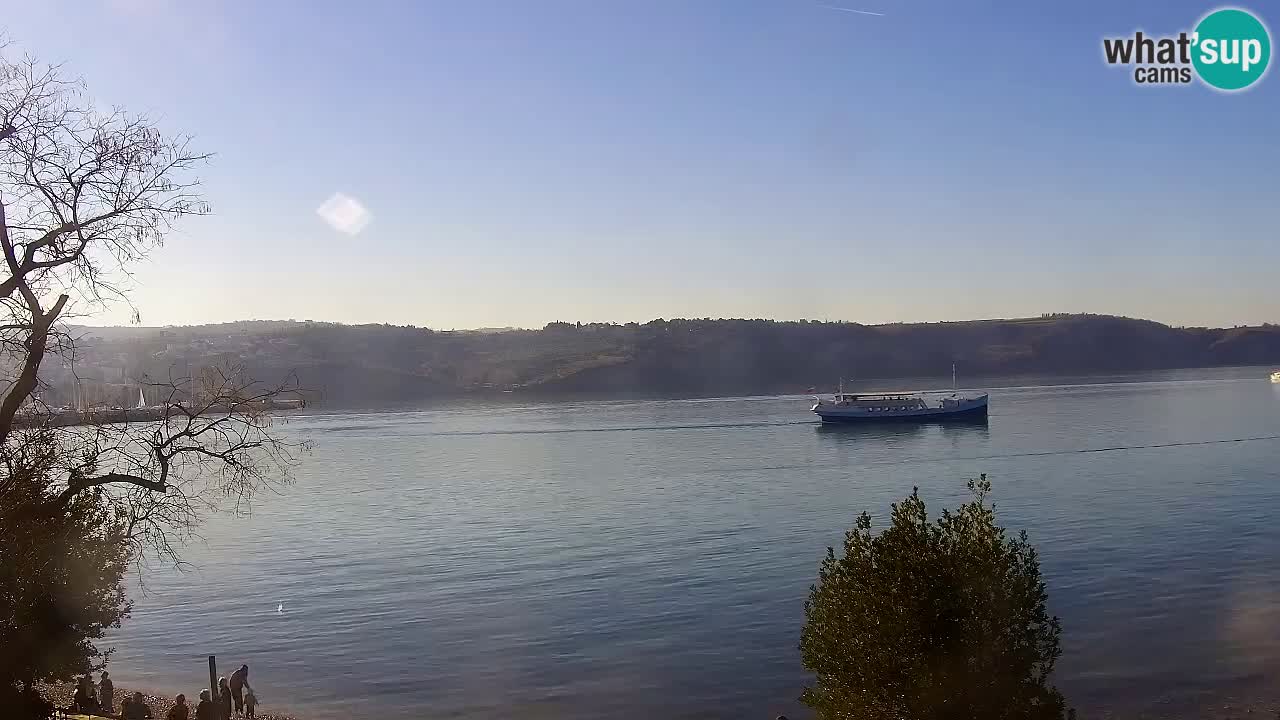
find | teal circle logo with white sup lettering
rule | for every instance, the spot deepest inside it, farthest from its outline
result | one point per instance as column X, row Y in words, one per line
column 1232, row 49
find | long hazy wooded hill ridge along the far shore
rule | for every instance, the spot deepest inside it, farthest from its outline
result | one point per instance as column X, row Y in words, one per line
column 385, row 366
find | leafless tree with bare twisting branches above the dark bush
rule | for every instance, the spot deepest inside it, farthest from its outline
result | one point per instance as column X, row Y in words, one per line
column 85, row 194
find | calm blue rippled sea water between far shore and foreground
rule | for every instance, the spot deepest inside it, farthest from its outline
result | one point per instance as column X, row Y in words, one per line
column 651, row 559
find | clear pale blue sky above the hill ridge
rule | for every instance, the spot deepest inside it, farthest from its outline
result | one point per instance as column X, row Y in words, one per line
column 611, row 161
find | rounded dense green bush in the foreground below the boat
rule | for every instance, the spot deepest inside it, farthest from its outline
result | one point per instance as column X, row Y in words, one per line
column 932, row 622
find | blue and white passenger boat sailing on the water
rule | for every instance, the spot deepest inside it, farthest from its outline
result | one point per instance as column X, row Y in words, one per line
column 902, row 407
